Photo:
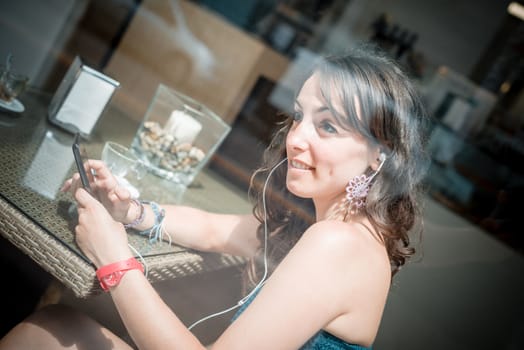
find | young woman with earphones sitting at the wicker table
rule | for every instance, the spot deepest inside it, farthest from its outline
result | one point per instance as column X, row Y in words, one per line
column 335, row 201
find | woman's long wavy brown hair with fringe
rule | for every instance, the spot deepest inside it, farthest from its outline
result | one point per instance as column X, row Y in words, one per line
column 392, row 117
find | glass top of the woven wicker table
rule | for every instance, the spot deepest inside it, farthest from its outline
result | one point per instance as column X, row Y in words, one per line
column 36, row 159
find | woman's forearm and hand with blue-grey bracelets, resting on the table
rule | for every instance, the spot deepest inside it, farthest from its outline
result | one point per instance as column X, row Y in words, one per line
column 189, row 227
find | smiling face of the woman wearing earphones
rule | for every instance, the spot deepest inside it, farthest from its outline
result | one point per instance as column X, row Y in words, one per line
column 322, row 156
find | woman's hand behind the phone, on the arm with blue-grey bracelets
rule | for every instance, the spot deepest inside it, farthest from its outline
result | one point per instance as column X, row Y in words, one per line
column 114, row 197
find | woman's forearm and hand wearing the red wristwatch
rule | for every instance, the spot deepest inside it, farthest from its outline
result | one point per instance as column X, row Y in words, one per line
column 150, row 322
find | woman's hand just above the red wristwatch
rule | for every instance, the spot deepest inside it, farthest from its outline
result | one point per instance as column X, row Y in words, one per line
column 101, row 239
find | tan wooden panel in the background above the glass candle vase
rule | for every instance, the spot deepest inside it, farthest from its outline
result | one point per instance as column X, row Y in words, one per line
column 155, row 50
